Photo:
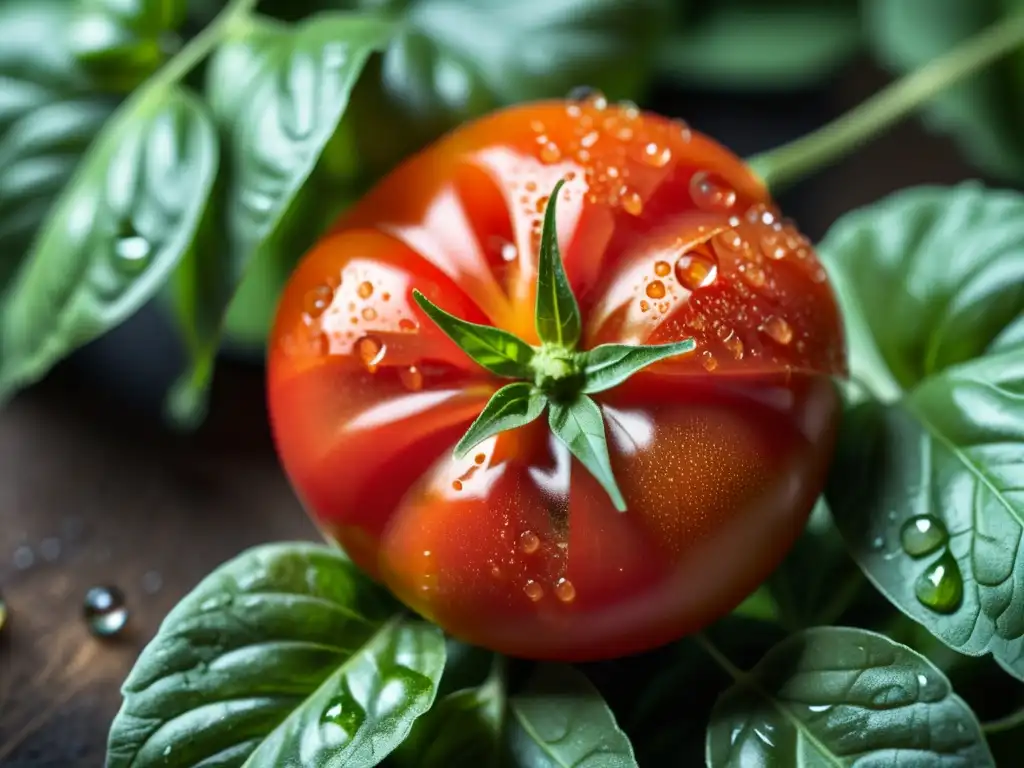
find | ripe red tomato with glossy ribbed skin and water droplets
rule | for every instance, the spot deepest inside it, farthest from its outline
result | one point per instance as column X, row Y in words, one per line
column 720, row 453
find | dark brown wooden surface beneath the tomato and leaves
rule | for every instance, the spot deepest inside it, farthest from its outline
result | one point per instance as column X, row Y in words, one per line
column 99, row 495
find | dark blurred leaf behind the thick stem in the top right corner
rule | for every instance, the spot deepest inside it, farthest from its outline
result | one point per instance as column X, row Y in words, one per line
column 985, row 113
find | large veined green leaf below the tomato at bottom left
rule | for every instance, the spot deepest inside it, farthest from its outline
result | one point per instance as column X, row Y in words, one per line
column 287, row 656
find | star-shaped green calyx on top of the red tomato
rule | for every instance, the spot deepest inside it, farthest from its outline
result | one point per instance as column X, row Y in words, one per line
column 554, row 376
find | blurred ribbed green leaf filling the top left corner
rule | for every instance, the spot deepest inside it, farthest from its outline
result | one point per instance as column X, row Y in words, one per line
column 49, row 116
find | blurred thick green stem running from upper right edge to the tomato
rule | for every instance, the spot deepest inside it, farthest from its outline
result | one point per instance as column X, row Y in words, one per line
column 785, row 165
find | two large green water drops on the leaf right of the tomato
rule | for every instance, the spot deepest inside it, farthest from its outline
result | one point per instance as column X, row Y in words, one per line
column 941, row 586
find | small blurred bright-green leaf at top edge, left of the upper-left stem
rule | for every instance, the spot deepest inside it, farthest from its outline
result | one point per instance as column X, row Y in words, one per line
column 122, row 42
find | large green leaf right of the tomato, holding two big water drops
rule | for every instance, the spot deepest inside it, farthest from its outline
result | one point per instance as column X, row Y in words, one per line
column 927, row 483
